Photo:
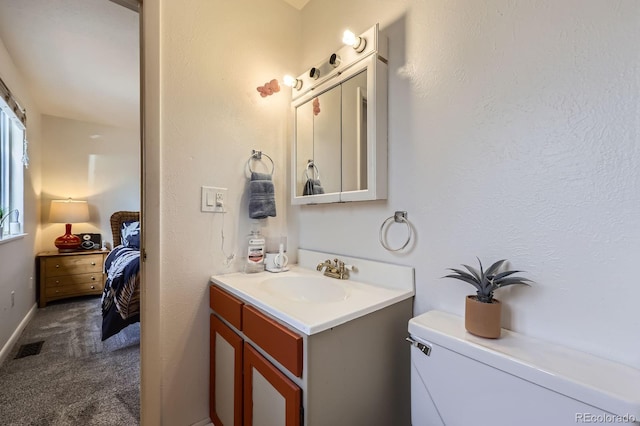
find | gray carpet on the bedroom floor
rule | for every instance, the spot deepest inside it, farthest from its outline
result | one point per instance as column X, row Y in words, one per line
column 75, row 379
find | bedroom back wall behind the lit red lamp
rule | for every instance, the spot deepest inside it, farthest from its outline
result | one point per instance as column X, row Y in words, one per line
column 92, row 162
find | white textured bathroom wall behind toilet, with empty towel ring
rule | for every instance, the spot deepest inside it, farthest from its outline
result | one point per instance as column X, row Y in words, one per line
column 513, row 133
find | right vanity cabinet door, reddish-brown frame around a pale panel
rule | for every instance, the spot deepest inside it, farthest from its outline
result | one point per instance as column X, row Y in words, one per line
column 269, row 396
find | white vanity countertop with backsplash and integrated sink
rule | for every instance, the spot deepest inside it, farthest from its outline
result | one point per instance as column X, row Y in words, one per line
column 310, row 317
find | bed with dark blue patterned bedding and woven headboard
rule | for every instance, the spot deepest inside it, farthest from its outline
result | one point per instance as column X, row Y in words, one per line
column 121, row 295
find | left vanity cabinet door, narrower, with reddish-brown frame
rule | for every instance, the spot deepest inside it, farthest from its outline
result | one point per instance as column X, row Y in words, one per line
column 225, row 369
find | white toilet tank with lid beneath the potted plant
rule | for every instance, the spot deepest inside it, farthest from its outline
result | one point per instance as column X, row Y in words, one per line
column 458, row 379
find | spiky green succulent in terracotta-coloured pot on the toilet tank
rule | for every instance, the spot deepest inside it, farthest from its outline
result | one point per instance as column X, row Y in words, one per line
column 483, row 311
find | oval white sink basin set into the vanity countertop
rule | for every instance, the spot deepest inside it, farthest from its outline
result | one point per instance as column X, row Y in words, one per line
column 306, row 289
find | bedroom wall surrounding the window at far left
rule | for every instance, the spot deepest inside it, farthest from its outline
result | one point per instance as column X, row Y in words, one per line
column 17, row 257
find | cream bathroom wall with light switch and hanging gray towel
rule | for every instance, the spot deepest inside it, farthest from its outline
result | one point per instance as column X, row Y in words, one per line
column 211, row 57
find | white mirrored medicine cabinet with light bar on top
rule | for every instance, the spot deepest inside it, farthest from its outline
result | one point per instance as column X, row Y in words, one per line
column 339, row 151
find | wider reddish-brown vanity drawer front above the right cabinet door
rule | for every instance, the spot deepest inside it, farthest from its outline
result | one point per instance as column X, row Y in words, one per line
column 278, row 341
